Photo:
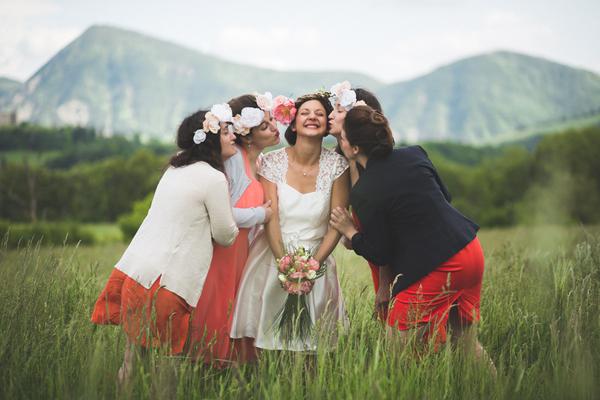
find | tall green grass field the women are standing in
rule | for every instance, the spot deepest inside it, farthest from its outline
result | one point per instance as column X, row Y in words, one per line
column 540, row 324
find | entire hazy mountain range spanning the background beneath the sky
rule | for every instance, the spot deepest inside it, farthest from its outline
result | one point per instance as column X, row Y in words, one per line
column 123, row 82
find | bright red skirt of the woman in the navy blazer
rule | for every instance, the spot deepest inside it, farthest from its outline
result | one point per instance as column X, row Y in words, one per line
column 454, row 284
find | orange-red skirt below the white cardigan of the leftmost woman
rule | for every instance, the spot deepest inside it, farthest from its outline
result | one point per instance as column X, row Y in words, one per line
column 150, row 317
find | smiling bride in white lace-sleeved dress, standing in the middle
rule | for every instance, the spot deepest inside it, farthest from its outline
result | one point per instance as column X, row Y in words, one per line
column 304, row 182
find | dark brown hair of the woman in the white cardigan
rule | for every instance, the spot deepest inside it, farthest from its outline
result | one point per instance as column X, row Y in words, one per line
column 190, row 152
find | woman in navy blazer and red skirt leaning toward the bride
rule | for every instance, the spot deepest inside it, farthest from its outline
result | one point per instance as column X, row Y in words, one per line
column 408, row 223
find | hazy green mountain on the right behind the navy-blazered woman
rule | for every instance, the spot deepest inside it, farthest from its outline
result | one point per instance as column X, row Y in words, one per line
column 478, row 98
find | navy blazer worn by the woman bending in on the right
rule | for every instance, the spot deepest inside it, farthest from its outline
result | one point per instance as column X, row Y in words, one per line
column 406, row 218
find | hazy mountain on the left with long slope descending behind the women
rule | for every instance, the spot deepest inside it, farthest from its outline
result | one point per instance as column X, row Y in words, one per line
column 121, row 82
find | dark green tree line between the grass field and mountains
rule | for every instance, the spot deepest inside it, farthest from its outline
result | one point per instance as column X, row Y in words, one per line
column 555, row 182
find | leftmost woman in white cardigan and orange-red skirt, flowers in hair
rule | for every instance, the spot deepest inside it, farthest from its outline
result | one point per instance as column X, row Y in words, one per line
column 158, row 280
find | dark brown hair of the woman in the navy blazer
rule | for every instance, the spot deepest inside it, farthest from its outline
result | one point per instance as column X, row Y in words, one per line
column 370, row 131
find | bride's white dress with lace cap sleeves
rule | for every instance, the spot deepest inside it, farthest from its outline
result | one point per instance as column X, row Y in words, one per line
column 304, row 219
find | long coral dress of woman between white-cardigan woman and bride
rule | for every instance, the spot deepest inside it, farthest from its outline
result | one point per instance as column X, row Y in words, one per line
column 212, row 317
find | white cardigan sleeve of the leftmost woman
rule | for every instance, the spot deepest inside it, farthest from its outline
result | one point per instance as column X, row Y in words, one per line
column 222, row 225
